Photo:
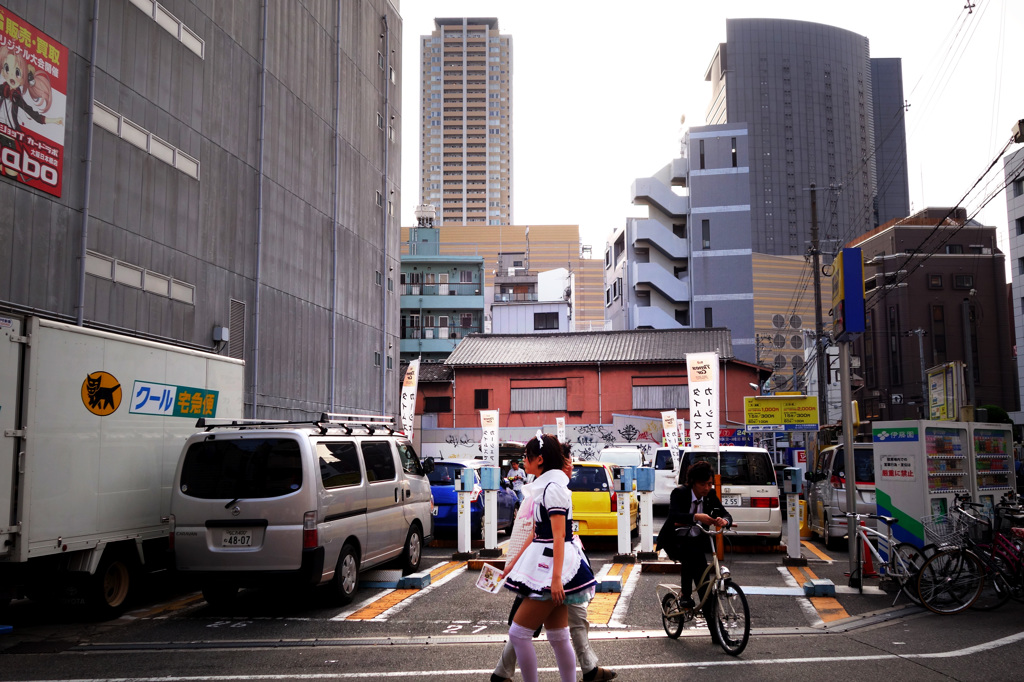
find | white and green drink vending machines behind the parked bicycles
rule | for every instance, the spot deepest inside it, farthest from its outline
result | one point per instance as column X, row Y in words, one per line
column 921, row 465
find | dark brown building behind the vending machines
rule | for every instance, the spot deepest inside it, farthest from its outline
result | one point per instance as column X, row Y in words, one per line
column 936, row 293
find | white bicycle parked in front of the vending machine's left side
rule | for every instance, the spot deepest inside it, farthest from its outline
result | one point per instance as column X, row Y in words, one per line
column 905, row 560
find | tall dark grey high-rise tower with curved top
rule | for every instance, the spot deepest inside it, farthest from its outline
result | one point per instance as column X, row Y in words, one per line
column 807, row 96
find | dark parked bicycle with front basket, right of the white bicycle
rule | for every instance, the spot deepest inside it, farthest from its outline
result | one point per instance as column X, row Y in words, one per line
column 954, row 578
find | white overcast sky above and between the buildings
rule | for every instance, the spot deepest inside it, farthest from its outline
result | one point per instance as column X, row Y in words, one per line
column 600, row 89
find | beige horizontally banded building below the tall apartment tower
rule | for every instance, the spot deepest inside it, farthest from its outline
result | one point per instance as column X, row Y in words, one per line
column 515, row 255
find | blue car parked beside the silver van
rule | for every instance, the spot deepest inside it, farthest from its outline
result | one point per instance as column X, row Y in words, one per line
column 446, row 506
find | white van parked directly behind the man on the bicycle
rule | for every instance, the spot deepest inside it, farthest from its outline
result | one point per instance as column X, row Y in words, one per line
column 750, row 490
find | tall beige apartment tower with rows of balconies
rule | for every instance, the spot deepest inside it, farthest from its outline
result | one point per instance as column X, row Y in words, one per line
column 466, row 126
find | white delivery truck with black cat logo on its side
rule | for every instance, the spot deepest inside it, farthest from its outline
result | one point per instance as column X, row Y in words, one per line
column 93, row 427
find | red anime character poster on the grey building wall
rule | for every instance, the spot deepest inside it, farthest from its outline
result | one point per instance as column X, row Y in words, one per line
column 33, row 104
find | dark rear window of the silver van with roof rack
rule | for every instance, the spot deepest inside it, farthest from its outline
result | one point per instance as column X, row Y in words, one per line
column 246, row 468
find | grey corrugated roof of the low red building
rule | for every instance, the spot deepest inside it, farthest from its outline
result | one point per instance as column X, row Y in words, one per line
column 587, row 348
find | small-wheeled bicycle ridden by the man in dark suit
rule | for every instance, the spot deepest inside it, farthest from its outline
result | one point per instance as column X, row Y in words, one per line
column 730, row 617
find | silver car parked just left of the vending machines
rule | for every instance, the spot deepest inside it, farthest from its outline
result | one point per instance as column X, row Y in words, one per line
column 827, row 491
